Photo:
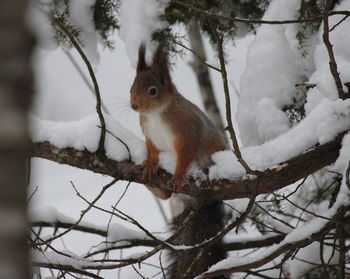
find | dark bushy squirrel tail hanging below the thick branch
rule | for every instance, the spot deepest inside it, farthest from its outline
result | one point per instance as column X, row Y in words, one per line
column 195, row 225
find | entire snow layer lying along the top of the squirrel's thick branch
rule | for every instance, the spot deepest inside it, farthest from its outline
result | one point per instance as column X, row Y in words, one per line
column 323, row 123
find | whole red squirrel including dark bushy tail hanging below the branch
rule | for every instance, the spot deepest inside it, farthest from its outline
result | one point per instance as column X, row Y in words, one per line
column 170, row 122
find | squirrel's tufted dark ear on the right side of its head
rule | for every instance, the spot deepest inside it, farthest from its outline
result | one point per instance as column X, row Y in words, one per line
column 160, row 65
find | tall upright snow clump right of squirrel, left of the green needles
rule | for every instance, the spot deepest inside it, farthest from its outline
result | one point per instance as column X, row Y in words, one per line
column 267, row 80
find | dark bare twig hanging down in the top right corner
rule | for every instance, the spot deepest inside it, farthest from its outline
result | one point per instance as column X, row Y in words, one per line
column 332, row 62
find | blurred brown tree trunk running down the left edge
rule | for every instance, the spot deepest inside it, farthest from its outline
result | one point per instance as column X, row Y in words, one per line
column 15, row 95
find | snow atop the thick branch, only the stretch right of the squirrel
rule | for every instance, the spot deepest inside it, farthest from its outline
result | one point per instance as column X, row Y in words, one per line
column 323, row 123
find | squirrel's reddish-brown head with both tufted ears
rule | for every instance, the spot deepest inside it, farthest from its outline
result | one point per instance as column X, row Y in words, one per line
column 152, row 87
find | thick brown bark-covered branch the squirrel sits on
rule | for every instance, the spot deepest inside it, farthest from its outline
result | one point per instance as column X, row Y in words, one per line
column 270, row 180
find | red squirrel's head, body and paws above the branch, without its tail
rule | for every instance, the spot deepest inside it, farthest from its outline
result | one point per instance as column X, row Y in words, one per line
column 169, row 121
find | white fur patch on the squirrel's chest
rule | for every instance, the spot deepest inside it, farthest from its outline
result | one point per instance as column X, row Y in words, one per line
column 158, row 131
